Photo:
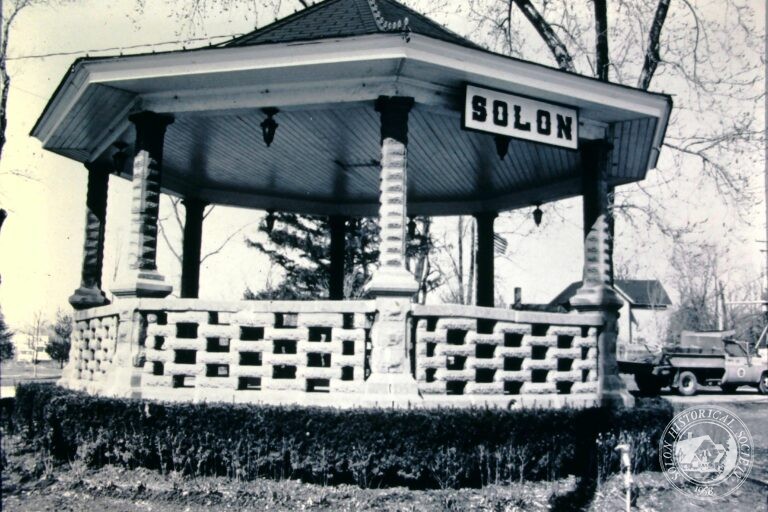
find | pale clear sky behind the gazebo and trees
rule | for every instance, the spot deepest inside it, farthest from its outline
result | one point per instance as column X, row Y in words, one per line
column 41, row 241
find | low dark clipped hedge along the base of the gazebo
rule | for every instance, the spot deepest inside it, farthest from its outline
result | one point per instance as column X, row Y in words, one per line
column 370, row 447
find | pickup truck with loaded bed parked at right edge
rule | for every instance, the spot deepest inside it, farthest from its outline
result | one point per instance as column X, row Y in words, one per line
column 702, row 359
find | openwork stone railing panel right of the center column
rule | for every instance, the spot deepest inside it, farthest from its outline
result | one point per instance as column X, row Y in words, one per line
column 465, row 355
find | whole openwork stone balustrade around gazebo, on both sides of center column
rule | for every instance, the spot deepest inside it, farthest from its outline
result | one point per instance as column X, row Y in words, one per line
column 318, row 353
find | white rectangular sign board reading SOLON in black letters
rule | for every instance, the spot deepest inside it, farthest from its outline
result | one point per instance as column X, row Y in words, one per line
column 505, row 114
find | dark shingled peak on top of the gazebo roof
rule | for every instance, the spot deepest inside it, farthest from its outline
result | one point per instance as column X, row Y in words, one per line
column 347, row 18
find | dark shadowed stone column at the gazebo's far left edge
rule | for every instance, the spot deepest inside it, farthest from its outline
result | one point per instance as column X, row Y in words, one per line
column 90, row 294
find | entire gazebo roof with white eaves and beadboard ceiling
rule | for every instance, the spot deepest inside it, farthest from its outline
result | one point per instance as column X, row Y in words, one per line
column 323, row 68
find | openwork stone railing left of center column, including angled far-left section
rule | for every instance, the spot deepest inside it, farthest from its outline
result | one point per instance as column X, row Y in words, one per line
column 249, row 351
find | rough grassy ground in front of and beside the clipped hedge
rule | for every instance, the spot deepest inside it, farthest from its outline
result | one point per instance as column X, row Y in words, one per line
column 30, row 482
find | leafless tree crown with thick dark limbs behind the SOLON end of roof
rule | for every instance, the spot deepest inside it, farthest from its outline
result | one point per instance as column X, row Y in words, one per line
column 713, row 64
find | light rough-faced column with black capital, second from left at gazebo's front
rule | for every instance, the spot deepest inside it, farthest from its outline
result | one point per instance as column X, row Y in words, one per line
column 143, row 279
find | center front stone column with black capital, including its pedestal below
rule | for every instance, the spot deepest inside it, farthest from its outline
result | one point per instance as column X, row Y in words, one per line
column 392, row 285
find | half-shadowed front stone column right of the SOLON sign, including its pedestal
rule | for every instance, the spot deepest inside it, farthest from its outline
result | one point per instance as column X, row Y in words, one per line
column 596, row 292
